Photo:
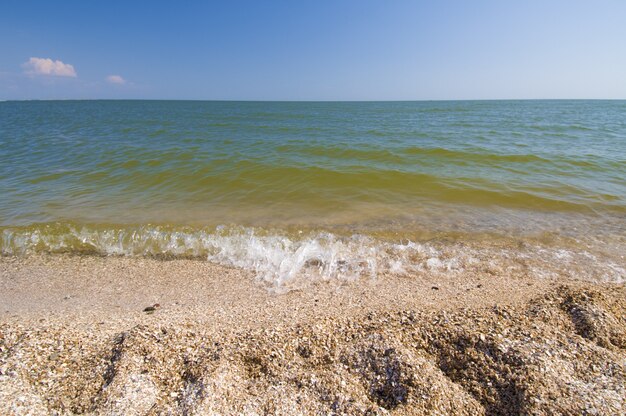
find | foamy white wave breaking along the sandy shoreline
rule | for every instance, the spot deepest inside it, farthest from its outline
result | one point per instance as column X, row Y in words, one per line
column 283, row 259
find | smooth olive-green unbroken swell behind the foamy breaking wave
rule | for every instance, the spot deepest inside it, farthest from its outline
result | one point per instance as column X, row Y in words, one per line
column 258, row 182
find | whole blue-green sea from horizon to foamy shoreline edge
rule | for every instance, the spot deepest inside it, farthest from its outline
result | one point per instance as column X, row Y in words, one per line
column 332, row 190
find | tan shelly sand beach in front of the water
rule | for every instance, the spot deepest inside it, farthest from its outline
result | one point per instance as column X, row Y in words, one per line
column 113, row 335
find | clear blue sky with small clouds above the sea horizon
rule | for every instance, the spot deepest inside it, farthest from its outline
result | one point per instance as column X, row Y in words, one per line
column 313, row 50
